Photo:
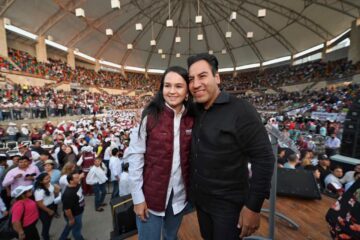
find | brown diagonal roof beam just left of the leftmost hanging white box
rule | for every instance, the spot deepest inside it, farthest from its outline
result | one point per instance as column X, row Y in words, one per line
column 60, row 14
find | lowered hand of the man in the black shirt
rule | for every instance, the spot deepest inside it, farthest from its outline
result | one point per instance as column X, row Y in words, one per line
column 249, row 222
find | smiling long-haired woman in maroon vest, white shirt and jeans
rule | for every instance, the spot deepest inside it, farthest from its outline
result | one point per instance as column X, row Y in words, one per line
column 158, row 158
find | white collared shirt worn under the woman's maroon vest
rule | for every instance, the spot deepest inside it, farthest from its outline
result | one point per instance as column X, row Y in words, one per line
column 135, row 156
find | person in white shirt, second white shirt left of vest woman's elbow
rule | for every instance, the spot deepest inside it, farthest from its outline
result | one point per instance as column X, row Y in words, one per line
column 115, row 170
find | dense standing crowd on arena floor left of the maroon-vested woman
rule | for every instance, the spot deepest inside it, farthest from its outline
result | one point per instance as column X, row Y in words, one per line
column 88, row 151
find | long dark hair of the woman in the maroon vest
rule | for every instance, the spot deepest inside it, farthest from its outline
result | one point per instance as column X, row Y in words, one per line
column 156, row 106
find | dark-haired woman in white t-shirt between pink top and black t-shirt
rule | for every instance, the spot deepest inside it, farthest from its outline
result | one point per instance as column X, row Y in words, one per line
column 45, row 194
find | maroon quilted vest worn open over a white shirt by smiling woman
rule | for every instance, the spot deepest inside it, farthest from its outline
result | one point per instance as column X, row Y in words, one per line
column 159, row 156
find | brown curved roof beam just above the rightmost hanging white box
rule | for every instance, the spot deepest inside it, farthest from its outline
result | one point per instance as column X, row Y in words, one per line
column 293, row 16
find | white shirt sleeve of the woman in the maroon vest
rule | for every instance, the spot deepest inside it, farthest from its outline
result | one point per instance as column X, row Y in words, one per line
column 135, row 157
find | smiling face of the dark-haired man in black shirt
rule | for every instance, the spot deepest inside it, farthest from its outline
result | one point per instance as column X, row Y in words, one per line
column 203, row 84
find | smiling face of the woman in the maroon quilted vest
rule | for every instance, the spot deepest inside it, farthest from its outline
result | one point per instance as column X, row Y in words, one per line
column 175, row 90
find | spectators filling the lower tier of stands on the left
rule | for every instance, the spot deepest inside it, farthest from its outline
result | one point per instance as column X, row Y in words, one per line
column 27, row 102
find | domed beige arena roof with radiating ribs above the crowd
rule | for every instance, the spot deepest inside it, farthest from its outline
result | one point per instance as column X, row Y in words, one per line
column 289, row 27
